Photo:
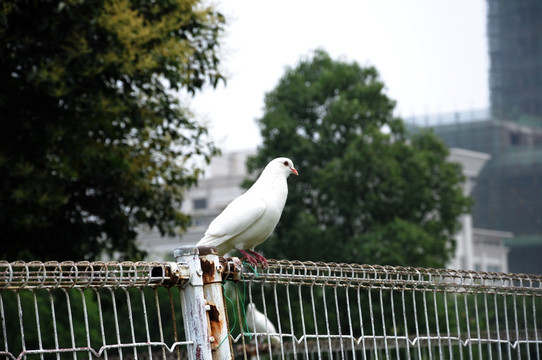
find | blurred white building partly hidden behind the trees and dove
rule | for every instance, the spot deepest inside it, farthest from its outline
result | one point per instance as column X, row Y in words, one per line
column 476, row 249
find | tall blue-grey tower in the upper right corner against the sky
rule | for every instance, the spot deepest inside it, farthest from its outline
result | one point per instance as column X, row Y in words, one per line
column 515, row 75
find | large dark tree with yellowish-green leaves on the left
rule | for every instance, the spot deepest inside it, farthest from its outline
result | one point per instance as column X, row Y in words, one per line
column 94, row 139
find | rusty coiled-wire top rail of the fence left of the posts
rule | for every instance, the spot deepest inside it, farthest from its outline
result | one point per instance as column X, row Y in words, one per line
column 84, row 274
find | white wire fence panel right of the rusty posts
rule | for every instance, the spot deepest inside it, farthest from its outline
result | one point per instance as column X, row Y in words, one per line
column 340, row 311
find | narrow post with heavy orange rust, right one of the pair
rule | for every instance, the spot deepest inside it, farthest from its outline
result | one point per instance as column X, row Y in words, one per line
column 212, row 289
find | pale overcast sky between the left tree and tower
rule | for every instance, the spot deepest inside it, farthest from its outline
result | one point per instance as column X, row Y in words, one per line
column 431, row 54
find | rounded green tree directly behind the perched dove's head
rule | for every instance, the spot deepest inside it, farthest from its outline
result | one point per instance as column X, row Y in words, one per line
column 368, row 191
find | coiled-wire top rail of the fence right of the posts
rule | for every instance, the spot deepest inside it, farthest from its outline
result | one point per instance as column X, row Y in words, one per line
column 394, row 277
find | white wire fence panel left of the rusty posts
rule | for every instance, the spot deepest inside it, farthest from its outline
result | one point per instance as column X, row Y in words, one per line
column 88, row 310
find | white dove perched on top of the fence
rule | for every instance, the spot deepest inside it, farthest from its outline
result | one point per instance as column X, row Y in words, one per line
column 250, row 218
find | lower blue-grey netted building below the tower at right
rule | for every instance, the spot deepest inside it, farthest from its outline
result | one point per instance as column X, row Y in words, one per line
column 508, row 189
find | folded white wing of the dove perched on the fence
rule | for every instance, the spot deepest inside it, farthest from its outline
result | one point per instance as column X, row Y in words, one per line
column 238, row 216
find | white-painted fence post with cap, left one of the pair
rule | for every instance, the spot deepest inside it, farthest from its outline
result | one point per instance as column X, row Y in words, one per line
column 193, row 305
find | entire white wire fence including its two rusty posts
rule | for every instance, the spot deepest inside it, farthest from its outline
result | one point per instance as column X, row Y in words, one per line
column 198, row 308
